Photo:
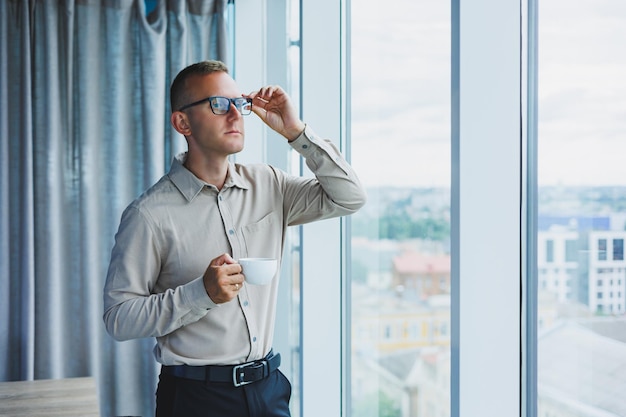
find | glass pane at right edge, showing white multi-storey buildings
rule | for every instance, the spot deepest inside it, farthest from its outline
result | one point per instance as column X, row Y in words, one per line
column 582, row 196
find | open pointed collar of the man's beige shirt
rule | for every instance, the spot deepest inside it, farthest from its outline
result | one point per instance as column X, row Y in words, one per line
column 190, row 186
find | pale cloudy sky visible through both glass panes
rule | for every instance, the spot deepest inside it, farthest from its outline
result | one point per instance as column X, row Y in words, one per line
column 401, row 92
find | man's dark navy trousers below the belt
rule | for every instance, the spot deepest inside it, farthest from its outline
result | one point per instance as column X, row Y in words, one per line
column 180, row 397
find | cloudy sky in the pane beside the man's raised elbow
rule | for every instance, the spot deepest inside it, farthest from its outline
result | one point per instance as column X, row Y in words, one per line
column 401, row 92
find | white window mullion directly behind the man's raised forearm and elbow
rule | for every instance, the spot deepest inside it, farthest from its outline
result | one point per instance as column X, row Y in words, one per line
column 321, row 241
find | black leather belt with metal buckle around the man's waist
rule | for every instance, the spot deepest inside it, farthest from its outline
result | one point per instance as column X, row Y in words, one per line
column 238, row 375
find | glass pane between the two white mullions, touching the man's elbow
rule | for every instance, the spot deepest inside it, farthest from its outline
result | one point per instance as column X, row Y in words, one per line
column 400, row 241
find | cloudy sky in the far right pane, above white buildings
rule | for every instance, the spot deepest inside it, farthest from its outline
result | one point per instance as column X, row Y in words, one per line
column 582, row 92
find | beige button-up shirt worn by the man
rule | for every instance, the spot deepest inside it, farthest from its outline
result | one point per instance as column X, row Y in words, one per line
column 168, row 236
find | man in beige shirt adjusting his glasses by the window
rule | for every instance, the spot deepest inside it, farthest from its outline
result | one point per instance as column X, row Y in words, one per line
column 173, row 273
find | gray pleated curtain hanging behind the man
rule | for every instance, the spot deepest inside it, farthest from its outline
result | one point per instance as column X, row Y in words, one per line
column 84, row 129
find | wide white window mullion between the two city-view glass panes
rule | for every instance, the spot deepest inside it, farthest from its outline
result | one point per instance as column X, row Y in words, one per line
column 487, row 197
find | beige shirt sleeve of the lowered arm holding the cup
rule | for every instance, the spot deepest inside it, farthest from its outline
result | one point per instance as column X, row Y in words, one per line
column 132, row 310
